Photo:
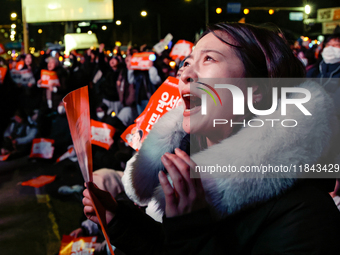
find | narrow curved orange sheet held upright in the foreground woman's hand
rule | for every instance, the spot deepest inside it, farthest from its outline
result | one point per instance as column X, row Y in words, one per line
column 78, row 115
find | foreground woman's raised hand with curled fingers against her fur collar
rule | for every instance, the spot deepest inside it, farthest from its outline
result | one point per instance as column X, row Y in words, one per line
column 187, row 194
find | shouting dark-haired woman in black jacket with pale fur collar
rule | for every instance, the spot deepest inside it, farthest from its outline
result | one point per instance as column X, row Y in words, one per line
column 232, row 212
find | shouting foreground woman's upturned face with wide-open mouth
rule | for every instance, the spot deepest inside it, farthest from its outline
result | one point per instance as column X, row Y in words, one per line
column 213, row 59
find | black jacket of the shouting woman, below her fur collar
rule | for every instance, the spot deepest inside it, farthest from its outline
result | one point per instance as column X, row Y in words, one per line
column 304, row 220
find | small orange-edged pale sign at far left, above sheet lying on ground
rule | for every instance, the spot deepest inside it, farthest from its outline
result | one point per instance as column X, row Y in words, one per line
column 42, row 148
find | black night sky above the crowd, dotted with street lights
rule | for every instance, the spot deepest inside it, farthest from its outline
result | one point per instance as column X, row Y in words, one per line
column 180, row 18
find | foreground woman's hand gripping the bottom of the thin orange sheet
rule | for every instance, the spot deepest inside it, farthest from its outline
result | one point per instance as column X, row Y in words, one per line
column 108, row 203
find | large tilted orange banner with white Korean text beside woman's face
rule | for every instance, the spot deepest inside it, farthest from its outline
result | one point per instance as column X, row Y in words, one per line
column 165, row 98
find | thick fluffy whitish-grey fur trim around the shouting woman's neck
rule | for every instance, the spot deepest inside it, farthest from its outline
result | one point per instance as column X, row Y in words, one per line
column 307, row 143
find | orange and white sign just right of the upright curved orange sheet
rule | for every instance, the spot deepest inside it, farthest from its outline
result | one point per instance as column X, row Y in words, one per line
column 102, row 134
